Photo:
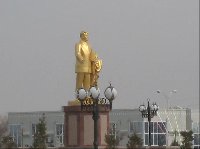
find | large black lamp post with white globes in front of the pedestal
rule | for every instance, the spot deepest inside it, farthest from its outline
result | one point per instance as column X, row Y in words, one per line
column 91, row 101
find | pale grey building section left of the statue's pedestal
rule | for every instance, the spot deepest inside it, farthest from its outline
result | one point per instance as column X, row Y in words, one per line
column 22, row 127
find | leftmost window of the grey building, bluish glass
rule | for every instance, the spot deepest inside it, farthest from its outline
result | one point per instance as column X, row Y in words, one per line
column 16, row 133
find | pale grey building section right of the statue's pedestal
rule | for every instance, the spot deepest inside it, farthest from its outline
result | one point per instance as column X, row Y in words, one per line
column 163, row 126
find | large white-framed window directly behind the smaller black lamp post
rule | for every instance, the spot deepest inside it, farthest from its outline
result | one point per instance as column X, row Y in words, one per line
column 158, row 133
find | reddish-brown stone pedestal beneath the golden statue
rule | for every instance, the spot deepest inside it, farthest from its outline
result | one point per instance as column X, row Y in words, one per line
column 79, row 127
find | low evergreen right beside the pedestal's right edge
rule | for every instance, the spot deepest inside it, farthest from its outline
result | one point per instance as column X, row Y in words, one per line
column 112, row 141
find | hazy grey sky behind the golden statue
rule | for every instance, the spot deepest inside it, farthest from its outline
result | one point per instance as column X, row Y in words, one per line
column 145, row 45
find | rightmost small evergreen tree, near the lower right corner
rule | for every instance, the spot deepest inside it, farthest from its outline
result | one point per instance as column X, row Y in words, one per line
column 187, row 139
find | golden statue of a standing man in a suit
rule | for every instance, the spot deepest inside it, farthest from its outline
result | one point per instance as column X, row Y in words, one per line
column 87, row 63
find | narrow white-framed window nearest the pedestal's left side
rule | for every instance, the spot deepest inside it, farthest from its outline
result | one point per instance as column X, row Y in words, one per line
column 60, row 134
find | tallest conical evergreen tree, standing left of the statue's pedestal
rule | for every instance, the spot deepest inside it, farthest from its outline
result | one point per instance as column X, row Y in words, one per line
column 40, row 136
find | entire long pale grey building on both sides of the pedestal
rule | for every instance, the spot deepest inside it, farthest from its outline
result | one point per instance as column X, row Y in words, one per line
column 123, row 123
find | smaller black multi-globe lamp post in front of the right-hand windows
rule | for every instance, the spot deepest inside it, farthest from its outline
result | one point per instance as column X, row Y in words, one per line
column 149, row 112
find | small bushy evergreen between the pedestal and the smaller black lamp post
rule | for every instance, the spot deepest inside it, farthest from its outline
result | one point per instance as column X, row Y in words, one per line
column 134, row 141
